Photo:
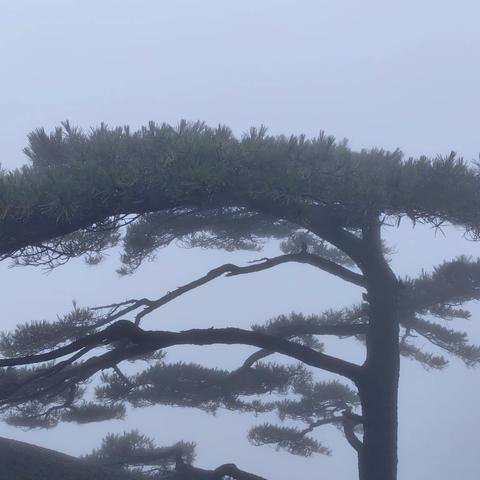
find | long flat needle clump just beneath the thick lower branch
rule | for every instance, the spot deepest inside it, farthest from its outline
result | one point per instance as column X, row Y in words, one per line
column 191, row 385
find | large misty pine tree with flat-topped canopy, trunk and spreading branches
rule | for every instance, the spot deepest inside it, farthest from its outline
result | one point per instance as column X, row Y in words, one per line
column 202, row 187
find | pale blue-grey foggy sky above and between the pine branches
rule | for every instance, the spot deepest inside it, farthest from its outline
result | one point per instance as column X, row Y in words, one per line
column 382, row 73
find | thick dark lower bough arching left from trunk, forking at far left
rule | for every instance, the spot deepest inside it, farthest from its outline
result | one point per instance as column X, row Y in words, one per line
column 137, row 342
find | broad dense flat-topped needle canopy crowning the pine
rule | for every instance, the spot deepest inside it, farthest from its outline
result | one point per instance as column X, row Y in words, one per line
column 204, row 187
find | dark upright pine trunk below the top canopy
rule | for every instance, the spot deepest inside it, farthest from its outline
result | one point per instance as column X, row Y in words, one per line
column 378, row 386
